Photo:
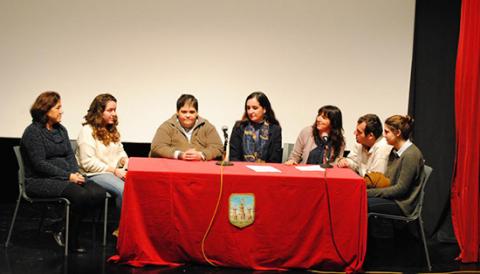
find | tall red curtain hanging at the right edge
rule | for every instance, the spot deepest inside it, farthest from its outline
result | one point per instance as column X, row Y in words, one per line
column 465, row 185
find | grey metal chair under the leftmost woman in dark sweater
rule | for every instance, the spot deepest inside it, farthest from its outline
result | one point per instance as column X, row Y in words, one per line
column 23, row 195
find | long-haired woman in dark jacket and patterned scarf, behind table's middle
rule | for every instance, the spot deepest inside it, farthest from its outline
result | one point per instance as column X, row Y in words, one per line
column 258, row 136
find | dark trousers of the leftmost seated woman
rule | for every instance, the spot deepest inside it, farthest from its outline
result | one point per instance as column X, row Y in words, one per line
column 84, row 198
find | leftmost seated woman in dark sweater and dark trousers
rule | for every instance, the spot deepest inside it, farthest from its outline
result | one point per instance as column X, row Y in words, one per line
column 50, row 166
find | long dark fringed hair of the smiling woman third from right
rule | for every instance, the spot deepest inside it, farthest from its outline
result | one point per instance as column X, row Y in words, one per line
column 334, row 114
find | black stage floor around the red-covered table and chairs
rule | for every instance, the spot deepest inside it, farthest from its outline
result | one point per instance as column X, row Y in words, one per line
column 32, row 251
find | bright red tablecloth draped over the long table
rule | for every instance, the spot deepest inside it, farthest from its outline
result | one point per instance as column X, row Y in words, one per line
column 302, row 219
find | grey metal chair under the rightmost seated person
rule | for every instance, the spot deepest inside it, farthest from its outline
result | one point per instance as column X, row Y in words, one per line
column 416, row 215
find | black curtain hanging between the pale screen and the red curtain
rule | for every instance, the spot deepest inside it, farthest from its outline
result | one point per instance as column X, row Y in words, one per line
column 432, row 105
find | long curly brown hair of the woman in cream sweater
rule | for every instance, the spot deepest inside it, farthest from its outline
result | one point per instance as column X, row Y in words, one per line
column 94, row 117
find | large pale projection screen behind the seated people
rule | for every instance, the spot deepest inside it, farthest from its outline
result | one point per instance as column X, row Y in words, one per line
column 302, row 53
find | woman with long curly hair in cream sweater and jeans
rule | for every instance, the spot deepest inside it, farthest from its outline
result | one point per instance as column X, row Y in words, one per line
column 100, row 153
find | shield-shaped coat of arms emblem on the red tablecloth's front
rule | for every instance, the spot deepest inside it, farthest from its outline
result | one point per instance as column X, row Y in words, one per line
column 241, row 209
